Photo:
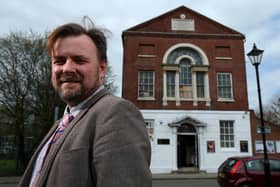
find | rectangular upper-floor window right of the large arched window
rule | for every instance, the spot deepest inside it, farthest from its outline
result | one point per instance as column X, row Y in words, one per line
column 224, row 85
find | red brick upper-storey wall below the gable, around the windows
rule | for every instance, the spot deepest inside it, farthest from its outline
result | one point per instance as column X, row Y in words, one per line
column 134, row 63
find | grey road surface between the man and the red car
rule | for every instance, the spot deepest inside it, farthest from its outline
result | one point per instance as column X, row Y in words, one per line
column 185, row 183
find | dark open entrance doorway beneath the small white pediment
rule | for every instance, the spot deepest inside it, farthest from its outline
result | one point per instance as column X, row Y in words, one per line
column 186, row 148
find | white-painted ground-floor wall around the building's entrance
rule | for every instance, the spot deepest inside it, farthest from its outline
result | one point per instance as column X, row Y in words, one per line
column 164, row 157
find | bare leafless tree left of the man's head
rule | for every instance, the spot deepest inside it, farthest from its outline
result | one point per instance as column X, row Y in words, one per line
column 25, row 89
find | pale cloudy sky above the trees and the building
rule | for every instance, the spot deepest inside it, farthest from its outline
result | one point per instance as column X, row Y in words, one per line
column 258, row 20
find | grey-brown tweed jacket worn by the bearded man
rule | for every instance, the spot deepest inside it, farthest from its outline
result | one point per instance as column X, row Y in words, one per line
column 105, row 145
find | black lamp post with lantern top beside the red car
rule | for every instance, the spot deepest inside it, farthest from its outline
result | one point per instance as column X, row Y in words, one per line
column 255, row 56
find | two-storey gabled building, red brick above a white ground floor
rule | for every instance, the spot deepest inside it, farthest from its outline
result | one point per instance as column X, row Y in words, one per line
column 186, row 72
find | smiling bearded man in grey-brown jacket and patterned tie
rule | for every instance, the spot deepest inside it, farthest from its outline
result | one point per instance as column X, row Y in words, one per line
column 106, row 143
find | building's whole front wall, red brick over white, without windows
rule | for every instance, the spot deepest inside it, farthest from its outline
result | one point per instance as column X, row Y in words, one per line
column 222, row 49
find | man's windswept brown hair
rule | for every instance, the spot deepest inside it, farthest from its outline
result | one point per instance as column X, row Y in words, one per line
column 73, row 29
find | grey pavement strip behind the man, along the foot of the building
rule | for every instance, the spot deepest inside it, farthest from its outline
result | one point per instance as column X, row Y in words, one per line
column 162, row 176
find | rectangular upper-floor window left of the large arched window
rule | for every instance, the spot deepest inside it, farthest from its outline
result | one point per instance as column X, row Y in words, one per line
column 146, row 84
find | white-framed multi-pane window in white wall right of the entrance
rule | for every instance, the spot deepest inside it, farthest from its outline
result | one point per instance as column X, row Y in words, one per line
column 226, row 134
